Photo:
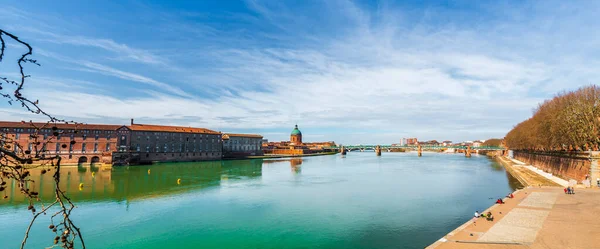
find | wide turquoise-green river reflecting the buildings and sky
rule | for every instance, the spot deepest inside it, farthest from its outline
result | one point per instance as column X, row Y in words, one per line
column 359, row 200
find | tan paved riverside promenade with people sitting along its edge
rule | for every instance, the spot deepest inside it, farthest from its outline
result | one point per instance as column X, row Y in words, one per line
column 538, row 218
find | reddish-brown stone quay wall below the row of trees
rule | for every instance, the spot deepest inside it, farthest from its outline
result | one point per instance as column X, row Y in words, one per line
column 566, row 165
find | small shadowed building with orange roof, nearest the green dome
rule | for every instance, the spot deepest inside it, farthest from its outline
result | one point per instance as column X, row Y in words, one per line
column 241, row 145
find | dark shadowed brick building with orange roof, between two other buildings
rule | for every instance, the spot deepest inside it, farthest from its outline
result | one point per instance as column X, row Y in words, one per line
column 143, row 143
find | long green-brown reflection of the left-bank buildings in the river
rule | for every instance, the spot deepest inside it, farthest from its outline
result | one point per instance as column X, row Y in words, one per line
column 127, row 183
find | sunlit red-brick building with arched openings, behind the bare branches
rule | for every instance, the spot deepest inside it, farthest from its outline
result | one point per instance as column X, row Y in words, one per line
column 93, row 143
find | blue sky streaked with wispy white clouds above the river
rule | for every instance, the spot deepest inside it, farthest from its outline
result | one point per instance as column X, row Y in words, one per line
column 349, row 71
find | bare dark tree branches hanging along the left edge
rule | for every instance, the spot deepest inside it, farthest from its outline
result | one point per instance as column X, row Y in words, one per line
column 17, row 162
